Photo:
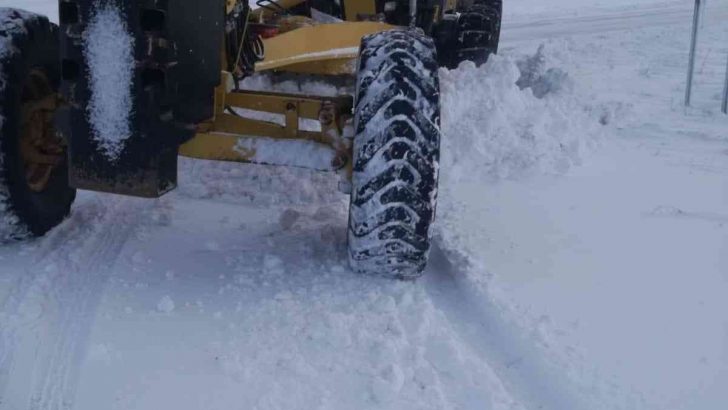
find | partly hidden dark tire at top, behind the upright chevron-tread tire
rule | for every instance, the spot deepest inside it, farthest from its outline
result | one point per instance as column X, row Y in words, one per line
column 472, row 34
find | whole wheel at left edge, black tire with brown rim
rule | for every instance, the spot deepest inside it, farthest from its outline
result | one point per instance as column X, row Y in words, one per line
column 34, row 191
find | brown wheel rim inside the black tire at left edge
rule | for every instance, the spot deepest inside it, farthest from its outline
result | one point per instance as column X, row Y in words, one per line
column 41, row 148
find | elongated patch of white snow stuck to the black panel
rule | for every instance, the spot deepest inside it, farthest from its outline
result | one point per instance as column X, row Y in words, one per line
column 109, row 52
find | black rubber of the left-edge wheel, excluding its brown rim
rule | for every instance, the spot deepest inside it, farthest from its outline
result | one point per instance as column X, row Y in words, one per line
column 30, row 42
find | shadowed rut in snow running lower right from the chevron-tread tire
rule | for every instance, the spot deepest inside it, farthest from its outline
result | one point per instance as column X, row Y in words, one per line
column 507, row 348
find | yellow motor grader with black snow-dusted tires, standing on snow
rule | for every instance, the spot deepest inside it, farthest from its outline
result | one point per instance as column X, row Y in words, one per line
column 111, row 96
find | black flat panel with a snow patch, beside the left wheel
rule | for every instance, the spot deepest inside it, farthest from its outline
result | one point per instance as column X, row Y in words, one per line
column 174, row 48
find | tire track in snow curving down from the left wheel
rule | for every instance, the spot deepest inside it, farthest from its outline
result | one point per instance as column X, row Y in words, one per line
column 62, row 295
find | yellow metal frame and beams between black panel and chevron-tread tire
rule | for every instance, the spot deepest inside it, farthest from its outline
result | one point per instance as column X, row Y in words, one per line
column 327, row 49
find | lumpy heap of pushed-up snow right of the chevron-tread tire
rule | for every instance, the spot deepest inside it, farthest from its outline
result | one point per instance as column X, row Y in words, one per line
column 513, row 116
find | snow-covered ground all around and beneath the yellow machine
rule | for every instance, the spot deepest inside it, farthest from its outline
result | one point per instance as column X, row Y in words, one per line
column 580, row 258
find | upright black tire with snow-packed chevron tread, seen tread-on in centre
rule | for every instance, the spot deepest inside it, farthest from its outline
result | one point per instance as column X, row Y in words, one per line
column 396, row 154
